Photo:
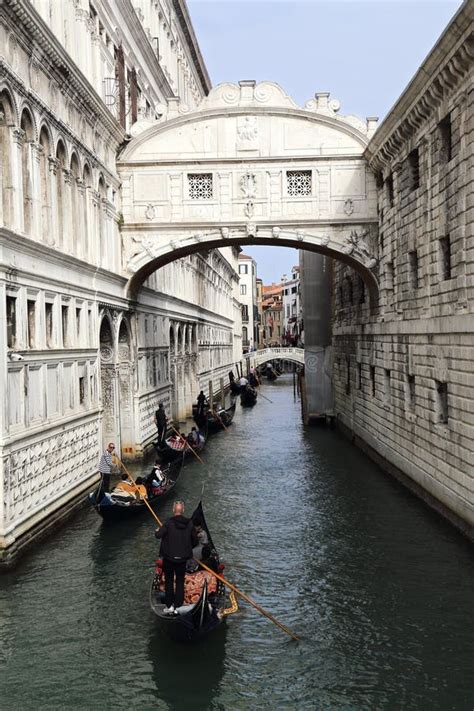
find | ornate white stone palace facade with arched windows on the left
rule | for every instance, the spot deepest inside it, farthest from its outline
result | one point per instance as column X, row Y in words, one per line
column 83, row 362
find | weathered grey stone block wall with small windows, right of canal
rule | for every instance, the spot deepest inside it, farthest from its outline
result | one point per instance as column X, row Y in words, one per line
column 404, row 376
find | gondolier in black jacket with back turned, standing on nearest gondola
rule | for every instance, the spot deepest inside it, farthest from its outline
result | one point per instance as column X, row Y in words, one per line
column 178, row 539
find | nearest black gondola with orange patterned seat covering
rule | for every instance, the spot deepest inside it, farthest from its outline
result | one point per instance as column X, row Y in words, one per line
column 197, row 618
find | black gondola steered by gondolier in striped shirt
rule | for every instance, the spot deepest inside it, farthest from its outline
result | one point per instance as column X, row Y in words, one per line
column 115, row 508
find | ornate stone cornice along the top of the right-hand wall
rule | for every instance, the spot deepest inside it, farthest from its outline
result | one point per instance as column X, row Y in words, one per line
column 448, row 64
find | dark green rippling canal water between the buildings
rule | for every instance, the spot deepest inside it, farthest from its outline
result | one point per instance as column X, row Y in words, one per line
column 377, row 586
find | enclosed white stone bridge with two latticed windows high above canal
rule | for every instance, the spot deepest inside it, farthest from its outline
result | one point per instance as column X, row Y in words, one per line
column 221, row 175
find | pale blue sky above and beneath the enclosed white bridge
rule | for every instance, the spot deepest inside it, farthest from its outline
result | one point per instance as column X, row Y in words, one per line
column 363, row 52
